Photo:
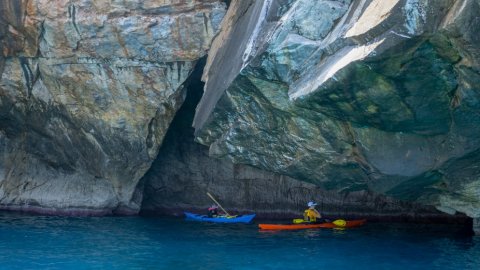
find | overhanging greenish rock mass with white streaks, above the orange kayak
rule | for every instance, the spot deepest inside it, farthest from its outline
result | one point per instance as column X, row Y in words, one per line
column 351, row 95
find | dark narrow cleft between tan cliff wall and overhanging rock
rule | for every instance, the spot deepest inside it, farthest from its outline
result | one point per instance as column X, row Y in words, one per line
column 175, row 154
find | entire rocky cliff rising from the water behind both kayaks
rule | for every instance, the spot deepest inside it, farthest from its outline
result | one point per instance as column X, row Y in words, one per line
column 358, row 97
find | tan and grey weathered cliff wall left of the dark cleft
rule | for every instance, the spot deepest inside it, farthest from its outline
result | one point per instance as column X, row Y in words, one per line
column 87, row 92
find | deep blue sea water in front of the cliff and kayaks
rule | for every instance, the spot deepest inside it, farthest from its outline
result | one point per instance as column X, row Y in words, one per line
column 37, row 242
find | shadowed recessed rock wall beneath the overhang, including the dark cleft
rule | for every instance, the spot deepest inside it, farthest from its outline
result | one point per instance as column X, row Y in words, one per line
column 183, row 172
